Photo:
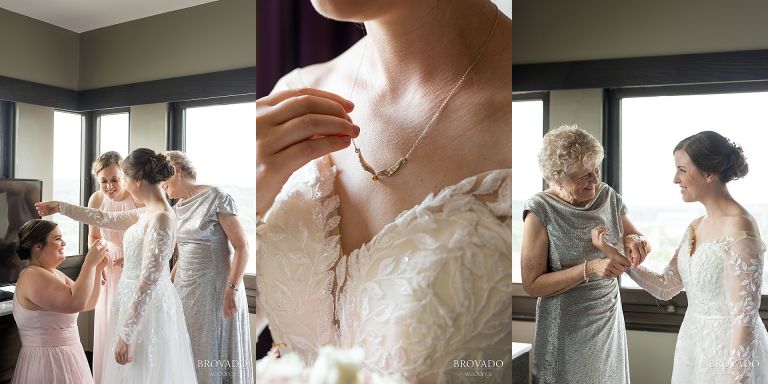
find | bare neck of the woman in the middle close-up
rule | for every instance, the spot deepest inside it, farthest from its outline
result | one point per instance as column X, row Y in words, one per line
column 428, row 44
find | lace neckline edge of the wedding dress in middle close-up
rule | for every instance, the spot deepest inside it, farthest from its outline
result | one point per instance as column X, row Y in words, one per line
column 425, row 202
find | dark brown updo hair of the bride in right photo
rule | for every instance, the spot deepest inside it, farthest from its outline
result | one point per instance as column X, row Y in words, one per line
column 711, row 152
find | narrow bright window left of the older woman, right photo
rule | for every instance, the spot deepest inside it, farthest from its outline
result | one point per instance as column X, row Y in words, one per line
column 527, row 133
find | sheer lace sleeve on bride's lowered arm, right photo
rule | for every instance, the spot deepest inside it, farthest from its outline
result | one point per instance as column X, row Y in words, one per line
column 743, row 280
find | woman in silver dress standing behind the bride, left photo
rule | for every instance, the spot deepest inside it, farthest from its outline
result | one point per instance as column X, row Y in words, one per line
column 209, row 276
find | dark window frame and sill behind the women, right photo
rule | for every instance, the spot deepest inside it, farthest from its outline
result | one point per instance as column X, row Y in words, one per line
column 641, row 310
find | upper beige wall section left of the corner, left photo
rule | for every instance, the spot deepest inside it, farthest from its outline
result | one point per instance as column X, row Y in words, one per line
column 35, row 51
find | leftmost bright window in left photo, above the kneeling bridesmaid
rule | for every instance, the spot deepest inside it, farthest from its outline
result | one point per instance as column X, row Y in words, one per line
column 67, row 173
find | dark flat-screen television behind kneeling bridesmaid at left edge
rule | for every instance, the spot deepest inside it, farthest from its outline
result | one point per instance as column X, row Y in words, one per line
column 17, row 206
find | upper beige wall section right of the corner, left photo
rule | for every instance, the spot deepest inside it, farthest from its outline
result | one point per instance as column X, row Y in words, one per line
column 207, row 38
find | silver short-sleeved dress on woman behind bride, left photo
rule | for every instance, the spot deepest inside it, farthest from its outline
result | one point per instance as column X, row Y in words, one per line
column 221, row 347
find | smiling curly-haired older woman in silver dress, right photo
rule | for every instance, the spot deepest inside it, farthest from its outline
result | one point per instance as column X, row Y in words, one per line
column 580, row 334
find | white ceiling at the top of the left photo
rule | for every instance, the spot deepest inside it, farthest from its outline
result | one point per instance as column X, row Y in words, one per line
column 85, row 15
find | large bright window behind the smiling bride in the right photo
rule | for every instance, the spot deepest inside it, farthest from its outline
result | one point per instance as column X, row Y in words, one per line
column 650, row 129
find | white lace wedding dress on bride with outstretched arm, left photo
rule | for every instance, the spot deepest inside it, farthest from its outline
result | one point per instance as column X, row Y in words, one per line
column 147, row 308
